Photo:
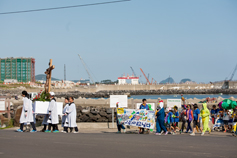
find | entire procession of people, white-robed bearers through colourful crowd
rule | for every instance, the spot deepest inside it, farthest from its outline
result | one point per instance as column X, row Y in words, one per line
column 167, row 119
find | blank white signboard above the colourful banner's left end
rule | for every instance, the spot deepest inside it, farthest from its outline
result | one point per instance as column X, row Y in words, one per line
column 122, row 99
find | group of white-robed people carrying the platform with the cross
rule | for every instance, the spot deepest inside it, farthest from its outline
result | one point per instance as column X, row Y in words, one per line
column 51, row 119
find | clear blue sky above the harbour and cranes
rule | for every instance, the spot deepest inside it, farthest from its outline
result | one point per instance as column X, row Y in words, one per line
column 180, row 38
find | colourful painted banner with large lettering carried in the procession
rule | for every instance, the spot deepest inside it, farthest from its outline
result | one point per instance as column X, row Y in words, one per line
column 139, row 118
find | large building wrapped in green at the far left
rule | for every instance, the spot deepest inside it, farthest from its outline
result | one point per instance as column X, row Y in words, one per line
column 21, row 69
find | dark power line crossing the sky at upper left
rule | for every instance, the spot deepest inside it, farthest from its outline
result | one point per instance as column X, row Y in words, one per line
column 66, row 7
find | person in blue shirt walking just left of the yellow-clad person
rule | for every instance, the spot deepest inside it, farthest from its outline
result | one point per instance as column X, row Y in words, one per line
column 196, row 119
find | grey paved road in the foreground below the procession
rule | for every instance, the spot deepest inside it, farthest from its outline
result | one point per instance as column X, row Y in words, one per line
column 112, row 145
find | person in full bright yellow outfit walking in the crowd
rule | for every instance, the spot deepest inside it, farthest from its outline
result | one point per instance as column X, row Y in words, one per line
column 205, row 113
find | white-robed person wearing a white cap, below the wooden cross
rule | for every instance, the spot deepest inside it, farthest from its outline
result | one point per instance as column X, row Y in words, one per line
column 53, row 114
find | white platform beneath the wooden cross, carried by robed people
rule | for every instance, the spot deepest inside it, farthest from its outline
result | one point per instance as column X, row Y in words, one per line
column 42, row 107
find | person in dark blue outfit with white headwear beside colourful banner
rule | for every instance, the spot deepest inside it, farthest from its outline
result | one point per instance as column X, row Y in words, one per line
column 160, row 114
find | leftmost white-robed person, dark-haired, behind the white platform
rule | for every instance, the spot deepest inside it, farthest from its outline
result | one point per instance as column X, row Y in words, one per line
column 26, row 113
